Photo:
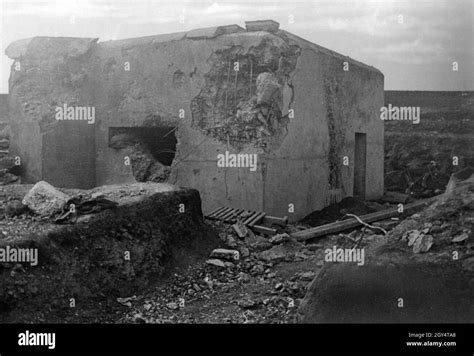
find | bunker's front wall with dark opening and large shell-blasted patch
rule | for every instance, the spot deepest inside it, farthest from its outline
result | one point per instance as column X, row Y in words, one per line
column 224, row 109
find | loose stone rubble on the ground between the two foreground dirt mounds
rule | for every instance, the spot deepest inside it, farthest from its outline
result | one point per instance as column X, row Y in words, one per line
column 250, row 279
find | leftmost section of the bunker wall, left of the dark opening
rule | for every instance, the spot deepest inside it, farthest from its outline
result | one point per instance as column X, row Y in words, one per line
column 48, row 73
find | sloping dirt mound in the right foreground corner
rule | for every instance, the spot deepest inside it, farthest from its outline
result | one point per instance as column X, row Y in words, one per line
column 424, row 273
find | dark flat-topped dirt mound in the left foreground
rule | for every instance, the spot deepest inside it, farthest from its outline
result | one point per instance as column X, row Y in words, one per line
column 114, row 253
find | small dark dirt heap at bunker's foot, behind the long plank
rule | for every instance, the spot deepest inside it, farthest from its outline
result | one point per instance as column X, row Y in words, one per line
column 337, row 211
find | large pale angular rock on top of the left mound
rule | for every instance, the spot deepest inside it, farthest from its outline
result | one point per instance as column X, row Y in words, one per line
column 44, row 199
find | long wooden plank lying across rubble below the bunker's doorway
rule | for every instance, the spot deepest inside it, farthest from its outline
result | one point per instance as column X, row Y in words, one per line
column 338, row 226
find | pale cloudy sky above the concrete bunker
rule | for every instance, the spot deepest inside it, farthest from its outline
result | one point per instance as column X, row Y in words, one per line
column 413, row 42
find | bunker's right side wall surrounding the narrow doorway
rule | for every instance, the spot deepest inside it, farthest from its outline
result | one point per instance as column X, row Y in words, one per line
column 330, row 105
